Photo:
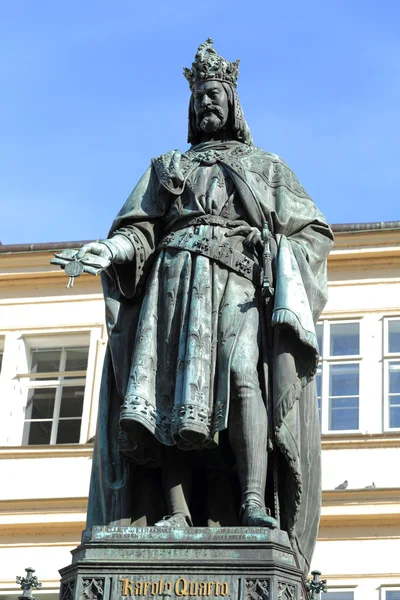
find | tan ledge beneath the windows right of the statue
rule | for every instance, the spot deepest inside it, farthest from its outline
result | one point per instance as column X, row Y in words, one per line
column 339, row 441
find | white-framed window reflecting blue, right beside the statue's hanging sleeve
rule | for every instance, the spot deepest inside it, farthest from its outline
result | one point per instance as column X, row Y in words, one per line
column 338, row 375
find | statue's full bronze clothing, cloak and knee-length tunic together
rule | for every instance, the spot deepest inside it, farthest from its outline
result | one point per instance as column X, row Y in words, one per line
column 176, row 313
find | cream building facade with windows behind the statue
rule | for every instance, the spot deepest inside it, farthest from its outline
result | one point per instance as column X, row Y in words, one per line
column 52, row 344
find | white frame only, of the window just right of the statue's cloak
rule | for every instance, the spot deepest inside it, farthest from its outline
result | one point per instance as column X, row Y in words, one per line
column 326, row 360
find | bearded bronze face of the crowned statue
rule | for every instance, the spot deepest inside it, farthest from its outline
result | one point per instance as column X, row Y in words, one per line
column 210, row 106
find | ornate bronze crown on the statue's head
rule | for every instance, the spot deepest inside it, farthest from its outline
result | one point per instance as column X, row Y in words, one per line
column 208, row 64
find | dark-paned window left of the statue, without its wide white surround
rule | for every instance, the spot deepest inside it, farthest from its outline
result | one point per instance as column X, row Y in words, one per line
column 55, row 385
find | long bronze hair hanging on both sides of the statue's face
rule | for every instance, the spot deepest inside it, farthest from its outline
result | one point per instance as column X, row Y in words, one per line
column 240, row 129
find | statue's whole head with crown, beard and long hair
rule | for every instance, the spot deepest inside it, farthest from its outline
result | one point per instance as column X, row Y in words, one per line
column 214, row 104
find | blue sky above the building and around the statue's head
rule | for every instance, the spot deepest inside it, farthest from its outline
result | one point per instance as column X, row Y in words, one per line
column 91, row 90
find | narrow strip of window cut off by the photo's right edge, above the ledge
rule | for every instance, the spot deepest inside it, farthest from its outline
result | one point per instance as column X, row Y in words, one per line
column 391, row 363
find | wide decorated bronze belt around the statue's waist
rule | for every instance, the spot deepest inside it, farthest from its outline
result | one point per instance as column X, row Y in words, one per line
column 222, row 253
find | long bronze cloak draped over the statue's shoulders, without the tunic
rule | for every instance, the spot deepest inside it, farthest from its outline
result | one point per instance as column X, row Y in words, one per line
column 270, row 193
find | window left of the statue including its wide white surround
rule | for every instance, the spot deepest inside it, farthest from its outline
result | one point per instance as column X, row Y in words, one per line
column 48, row 385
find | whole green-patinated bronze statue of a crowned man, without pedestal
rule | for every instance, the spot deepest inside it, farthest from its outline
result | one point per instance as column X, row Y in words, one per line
column 214, row 274
